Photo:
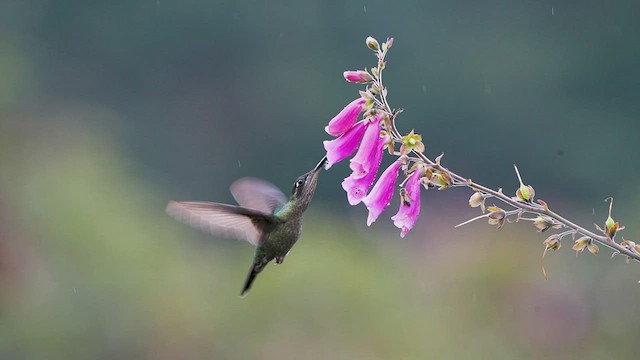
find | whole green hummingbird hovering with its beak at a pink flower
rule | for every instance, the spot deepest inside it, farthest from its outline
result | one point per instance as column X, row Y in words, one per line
column 264, row 218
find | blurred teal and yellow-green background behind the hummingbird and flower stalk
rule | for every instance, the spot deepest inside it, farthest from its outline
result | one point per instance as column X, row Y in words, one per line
column 110, row 109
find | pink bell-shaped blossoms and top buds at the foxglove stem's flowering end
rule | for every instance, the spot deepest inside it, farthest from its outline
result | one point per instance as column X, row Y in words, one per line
column 370, row 136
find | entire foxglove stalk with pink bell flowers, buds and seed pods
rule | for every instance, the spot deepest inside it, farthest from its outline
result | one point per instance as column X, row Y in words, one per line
column 366, row 127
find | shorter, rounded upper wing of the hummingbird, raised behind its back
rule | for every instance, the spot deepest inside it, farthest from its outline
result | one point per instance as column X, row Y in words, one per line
column 257, row 194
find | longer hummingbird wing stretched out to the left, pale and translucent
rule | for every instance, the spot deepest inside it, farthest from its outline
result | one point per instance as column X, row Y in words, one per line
column 224, row 220
